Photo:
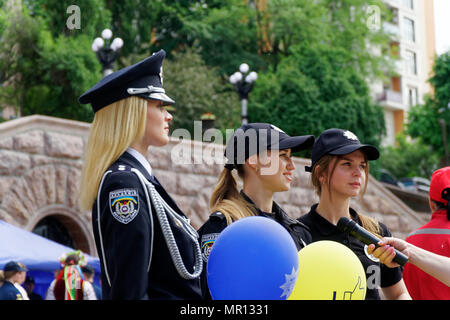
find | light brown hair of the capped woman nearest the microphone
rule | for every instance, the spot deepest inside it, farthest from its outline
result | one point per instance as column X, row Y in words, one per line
column 321, row 168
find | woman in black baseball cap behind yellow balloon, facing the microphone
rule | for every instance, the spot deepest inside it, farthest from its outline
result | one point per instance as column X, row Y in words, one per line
column 339, row 172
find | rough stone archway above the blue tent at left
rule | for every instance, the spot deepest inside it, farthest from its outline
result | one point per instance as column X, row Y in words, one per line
column 49, row 189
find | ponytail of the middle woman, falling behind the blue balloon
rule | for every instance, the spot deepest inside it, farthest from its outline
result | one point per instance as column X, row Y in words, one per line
column 226, row 198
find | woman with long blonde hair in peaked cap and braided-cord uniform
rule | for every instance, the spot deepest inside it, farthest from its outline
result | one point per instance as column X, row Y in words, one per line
column 146, row 245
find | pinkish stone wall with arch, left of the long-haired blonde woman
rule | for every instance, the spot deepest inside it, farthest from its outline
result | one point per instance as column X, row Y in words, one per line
column 40, row 166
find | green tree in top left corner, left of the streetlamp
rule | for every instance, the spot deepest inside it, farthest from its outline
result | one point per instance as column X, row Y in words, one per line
column 51, row 66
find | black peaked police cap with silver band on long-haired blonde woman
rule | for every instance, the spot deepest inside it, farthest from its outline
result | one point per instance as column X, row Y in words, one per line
column 143, row 79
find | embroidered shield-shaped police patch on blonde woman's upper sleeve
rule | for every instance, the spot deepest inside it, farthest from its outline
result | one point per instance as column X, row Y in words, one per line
column 124, row 204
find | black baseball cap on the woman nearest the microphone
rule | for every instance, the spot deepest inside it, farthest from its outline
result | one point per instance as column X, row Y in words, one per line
column 339, row 142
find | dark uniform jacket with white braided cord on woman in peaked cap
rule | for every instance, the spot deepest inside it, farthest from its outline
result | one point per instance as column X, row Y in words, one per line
column 123, row 240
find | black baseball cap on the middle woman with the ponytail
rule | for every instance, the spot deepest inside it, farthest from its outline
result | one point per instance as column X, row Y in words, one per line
column 253, row 138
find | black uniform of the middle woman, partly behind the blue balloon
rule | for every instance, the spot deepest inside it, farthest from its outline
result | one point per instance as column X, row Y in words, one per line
column 217, row 222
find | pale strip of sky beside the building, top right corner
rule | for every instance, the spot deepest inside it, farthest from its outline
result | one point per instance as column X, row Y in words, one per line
column 442, row 25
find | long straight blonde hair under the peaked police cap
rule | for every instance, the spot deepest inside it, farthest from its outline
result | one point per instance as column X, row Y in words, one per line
column 114, row 129
